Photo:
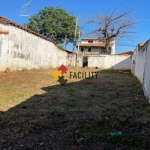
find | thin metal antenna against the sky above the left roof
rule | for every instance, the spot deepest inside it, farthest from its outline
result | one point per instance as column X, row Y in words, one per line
column 24, row 11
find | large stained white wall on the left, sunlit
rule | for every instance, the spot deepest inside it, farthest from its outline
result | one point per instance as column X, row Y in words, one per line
column 20, row 49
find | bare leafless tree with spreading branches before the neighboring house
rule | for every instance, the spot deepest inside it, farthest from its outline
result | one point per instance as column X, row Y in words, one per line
column 111, row 26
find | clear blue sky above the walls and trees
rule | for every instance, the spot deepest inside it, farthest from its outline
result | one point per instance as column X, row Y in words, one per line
column 83, row 9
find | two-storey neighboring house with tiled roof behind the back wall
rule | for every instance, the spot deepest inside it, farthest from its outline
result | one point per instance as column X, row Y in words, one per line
column 92, row 46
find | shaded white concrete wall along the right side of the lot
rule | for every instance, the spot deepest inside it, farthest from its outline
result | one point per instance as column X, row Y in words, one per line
column 141, row 67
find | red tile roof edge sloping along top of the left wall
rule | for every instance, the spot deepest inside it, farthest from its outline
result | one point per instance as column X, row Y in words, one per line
column 2, row 19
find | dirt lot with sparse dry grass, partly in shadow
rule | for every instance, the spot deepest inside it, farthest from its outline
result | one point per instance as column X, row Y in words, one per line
column 37, row 113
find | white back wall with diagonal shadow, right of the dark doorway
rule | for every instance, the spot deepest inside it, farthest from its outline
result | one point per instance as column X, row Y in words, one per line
column 116, row 62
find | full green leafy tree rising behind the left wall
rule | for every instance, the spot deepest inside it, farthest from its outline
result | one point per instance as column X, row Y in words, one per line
column 55, row 23
